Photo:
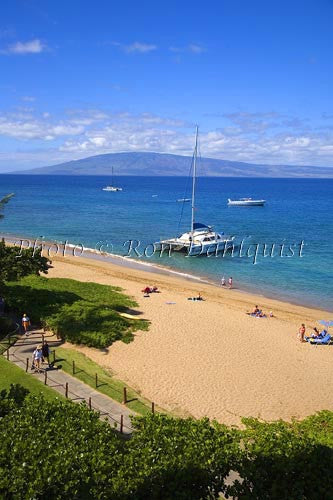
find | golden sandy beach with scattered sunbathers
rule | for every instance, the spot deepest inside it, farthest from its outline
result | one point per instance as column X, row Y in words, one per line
column 209, row 358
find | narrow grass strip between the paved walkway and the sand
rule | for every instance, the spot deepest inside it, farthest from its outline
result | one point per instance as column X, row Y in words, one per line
column 86, row 369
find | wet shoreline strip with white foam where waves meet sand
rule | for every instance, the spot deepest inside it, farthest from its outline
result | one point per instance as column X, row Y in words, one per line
column 153, row 268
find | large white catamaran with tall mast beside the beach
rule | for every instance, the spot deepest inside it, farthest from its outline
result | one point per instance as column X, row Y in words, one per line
column 200, row 239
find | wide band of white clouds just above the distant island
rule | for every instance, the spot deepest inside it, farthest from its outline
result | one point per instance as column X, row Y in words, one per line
column 252, row 137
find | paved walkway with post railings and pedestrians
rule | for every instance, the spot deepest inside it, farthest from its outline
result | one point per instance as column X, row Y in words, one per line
column 118, row 415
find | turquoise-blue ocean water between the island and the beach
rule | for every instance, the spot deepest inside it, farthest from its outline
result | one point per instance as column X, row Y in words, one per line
column 77, row 210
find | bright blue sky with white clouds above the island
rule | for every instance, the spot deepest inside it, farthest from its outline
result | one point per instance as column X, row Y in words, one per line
column 80, row 78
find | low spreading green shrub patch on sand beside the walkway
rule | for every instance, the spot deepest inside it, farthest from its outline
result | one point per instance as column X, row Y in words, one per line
column 82, row 313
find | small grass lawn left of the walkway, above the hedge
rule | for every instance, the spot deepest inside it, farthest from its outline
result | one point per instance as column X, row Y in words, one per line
column 12, row 374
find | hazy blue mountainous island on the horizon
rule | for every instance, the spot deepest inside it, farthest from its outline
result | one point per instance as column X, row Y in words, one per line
column 160, row 164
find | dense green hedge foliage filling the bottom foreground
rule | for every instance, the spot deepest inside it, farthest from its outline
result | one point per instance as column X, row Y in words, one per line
column 61, row 450
